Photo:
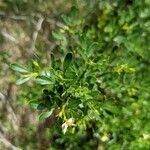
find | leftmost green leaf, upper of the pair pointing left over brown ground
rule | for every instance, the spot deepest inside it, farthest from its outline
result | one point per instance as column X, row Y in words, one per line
column 19, row 68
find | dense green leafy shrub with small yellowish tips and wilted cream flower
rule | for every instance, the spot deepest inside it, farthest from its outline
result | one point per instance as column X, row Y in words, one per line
column 98, row 87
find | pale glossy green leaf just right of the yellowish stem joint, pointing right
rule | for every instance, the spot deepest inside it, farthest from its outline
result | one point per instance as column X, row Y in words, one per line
column 43, row 80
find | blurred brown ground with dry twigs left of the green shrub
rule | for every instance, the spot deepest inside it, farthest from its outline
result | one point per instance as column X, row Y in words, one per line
column 25, row 34
